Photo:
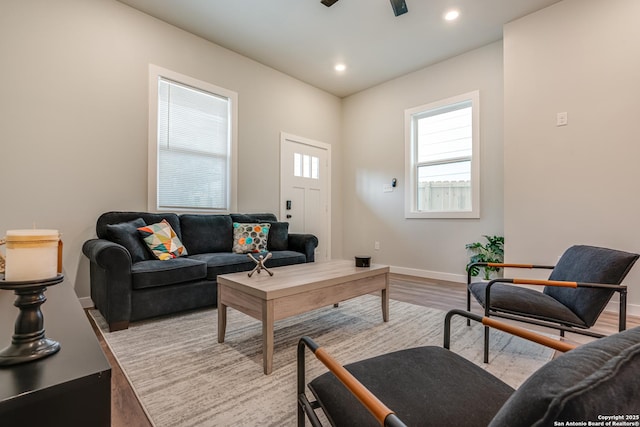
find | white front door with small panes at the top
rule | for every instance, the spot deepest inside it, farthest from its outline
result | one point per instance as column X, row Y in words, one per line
column 304, row 189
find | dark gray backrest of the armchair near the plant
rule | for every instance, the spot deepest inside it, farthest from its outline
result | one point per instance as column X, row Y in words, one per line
column 589, row 264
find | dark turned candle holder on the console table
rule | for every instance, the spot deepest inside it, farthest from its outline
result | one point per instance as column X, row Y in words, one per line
column 29, row 342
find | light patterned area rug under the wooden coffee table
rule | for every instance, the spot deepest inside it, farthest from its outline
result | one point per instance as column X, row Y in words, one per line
column 184, row 377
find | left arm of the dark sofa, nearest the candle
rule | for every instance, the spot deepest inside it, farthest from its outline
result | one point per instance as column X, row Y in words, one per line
column 111, row 282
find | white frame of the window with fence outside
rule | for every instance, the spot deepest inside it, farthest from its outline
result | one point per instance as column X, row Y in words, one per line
column 411, row 164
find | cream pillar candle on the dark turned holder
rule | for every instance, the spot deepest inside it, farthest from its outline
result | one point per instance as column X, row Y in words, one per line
column 31, row 255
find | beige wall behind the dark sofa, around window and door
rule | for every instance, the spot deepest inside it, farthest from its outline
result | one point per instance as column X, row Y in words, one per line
column 73, row 116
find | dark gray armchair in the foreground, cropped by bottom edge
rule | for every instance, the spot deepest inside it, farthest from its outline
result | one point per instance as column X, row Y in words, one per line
column 432, row 386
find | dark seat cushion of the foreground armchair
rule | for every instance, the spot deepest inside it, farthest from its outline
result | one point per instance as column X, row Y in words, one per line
column 410, row 382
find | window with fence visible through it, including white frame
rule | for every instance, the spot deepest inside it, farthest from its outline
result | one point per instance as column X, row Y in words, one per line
column 443, row 158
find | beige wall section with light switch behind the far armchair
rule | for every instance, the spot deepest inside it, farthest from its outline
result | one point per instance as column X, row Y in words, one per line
column 576, row 184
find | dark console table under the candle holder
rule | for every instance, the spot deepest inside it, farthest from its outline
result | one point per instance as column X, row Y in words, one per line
column 69, row 388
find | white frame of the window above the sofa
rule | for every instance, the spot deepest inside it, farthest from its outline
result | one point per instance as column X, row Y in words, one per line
column 155, row 73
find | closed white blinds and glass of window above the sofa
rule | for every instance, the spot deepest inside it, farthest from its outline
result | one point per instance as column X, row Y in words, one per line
column 194, row 144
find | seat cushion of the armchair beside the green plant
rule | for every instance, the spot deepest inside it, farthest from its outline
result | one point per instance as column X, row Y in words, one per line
column 524, row 301
